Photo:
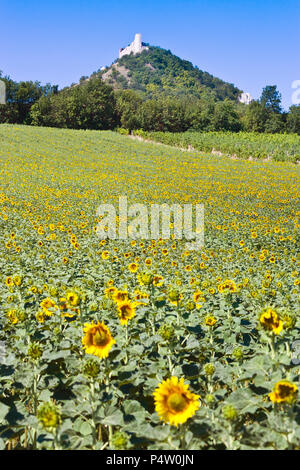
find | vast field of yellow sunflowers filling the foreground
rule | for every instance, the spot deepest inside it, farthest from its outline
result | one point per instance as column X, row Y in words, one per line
column 124, row 344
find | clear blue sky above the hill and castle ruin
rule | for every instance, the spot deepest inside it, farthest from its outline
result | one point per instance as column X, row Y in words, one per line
column 249, row 43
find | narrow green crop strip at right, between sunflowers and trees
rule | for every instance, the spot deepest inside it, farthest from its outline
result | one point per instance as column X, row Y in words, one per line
column 247, row 145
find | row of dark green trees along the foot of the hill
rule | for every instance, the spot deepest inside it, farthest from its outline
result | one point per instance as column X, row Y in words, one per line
column 96, row 105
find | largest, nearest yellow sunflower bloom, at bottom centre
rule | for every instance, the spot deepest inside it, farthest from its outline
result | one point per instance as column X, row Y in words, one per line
column 174, row 402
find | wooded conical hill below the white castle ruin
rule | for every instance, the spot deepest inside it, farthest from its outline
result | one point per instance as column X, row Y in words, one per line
column 157, row 71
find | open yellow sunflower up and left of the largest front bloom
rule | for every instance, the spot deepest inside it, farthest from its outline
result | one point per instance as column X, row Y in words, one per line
column 97, row 339
